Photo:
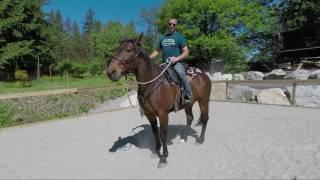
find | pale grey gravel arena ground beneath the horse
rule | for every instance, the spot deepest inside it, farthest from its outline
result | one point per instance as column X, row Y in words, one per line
column 242, row 141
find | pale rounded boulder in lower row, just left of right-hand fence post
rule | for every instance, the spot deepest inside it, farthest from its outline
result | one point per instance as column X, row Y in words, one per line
column 272, row 96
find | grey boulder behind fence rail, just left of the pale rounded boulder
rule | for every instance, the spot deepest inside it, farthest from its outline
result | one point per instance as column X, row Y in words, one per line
column 242, row 93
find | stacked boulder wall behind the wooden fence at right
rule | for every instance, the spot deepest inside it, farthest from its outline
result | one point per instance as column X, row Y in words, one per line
column 306, row 94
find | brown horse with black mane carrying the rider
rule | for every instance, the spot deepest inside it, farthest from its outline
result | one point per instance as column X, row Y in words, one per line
column 156, row 96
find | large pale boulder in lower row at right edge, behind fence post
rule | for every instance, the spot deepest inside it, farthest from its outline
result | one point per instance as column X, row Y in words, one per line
column 307, row 96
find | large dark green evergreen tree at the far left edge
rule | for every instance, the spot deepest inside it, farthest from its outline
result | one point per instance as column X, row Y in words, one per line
column 23, row 35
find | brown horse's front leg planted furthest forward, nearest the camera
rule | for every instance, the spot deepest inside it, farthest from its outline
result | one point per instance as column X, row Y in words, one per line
column 163, row 119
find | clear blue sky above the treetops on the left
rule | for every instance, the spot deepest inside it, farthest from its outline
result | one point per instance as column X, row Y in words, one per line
column 105, row 10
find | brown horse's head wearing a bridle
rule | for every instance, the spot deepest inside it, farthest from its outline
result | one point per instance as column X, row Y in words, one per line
column 124, row 59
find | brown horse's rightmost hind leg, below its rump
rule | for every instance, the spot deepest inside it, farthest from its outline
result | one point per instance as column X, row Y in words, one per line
column 204, row 117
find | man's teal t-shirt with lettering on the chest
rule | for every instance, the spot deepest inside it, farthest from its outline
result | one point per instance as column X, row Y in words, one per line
column 171, row 45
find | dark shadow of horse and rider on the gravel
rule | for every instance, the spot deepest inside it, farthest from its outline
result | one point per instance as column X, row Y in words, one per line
column 143, row 137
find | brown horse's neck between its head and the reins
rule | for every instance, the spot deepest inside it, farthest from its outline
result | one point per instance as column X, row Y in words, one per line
column 147, row 70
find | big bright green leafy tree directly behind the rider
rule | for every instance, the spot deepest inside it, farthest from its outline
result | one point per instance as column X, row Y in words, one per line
column 220, row 29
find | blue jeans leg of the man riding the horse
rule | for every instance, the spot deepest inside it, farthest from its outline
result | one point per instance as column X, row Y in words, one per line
column 179, row 68
